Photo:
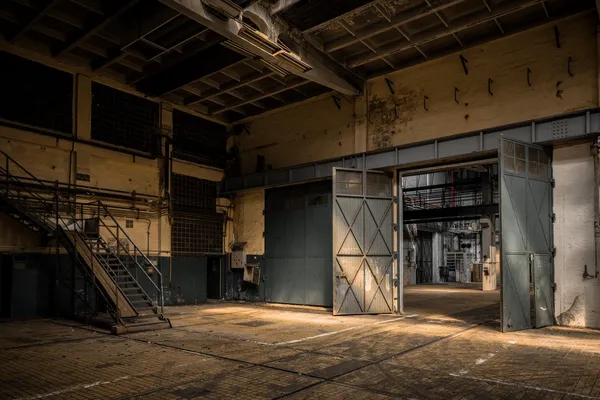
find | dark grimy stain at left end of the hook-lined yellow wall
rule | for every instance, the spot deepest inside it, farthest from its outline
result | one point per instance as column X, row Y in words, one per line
column 388, row 115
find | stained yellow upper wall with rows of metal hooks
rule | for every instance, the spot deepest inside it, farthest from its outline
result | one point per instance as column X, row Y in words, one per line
column 401, row 118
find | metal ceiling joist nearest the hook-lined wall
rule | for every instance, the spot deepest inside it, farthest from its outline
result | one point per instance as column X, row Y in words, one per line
column 453, row 27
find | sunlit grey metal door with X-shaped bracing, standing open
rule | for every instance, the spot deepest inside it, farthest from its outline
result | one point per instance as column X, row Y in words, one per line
column 363, row 256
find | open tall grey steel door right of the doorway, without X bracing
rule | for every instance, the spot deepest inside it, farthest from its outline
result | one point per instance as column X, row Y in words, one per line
column 526, row 230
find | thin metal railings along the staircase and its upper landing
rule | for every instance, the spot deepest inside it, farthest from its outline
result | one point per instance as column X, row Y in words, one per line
column 54, row 214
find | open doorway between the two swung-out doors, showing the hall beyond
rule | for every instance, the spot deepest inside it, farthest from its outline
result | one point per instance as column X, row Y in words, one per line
column 450, row 242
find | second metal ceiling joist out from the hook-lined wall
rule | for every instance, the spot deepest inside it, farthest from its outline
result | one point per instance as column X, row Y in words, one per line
column 396, row 21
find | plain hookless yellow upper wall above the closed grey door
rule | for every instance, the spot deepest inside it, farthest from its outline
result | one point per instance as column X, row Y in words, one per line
column 312, row 131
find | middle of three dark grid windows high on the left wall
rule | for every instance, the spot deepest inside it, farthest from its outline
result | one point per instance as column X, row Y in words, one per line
column 124, row 120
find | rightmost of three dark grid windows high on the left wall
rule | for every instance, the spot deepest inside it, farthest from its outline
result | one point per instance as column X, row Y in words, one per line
column 198, row 140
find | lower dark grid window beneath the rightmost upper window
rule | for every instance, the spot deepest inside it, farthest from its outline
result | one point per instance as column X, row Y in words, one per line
column 197, row 227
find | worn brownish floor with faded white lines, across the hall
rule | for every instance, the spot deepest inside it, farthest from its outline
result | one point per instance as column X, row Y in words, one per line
column 447, row 345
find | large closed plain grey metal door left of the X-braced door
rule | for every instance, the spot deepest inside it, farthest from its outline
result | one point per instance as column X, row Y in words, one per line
column 298, row 245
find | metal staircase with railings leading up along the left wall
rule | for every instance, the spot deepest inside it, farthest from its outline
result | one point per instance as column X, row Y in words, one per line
column 127, row 286
